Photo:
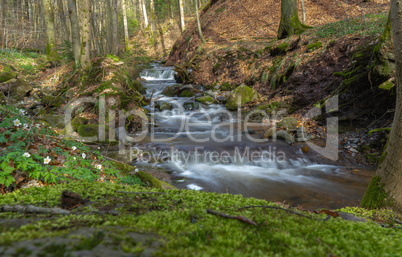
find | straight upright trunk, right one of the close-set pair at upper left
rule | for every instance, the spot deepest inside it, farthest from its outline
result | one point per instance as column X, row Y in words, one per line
column 85, row 13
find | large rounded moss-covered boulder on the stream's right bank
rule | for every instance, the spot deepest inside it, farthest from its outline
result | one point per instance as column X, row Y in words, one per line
column 240, row 96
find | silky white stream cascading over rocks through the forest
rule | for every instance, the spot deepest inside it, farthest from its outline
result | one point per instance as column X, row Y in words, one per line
column 208, row 149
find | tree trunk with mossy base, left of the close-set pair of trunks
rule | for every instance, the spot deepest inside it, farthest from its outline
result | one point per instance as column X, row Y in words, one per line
column 51, row 49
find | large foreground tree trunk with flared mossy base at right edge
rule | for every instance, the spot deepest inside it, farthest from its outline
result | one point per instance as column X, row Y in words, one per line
column 386, row 187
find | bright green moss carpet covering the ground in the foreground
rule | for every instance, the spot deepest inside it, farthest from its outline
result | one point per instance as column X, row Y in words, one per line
column 179, row 222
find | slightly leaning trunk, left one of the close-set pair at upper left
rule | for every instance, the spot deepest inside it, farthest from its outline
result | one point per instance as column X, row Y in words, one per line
column 75, row 31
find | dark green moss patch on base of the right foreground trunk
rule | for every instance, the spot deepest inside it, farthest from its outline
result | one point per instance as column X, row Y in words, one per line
column 375, row 196
